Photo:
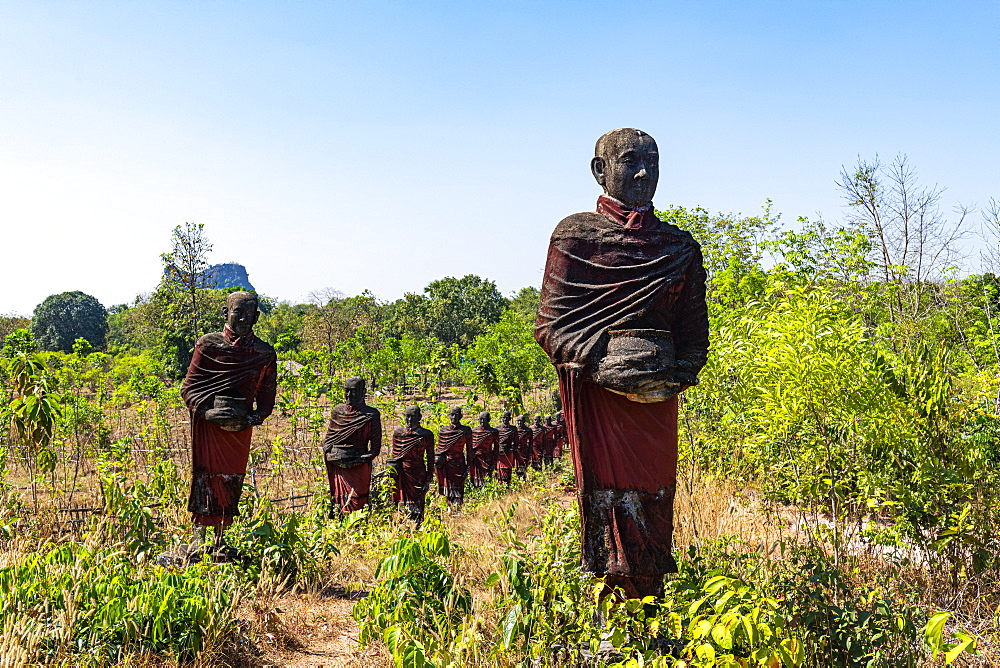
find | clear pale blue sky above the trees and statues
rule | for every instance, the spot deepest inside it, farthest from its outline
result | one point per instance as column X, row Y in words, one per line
column 382, row 145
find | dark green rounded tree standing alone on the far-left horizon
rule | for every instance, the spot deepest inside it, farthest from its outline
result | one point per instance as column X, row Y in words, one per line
column 62, row 319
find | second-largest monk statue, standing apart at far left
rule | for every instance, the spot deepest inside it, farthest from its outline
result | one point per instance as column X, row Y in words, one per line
column 229, row 388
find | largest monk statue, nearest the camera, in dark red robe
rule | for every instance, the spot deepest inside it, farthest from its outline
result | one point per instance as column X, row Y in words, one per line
column 623, row 318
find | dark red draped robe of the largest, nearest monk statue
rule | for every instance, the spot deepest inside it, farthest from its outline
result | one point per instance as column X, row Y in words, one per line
column 609, row 270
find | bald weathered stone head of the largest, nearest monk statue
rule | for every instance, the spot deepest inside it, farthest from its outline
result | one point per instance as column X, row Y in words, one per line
column 627, row 165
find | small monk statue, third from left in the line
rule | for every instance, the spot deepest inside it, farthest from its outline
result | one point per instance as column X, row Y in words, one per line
column 412, row 464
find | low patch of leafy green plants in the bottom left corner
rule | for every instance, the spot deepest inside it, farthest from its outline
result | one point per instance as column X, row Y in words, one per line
column 92, row 603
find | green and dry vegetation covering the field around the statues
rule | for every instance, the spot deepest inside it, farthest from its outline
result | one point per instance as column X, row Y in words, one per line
column 836, row 501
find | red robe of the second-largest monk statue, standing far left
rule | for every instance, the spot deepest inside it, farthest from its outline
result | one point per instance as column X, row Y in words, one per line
column 234, row 366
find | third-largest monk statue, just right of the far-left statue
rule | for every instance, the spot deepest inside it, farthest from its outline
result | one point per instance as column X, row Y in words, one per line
column 353, row 440
